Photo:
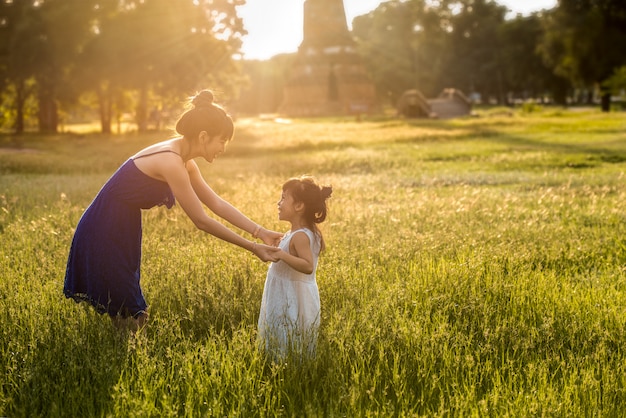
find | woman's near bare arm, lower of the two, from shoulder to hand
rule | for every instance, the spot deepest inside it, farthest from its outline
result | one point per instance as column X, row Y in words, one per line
column 178, row 179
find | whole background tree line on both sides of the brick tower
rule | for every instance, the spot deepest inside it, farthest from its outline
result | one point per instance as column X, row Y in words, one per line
column 140, row 56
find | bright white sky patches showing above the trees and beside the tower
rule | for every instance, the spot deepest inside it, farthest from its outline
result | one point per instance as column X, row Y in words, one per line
column 275, row 26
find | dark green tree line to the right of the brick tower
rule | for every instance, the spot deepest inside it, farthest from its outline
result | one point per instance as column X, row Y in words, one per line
column 577, row 47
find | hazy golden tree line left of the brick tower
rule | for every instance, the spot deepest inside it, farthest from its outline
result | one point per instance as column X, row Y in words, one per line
column 118, row 55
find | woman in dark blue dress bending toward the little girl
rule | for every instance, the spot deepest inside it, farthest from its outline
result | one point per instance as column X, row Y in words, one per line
column 103, row 267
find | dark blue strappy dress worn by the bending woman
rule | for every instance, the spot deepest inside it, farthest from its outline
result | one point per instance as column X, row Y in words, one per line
column 103, row 267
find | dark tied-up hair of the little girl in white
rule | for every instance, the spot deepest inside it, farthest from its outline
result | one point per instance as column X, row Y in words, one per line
column 305, row 190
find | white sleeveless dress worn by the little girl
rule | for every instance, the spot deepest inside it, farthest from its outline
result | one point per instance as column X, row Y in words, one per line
column 290, row 307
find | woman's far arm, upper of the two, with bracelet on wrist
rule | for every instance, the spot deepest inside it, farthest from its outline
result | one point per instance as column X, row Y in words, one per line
column 225, row 210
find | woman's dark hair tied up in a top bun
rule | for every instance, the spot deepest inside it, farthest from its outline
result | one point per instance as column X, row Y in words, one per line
column 204, row 115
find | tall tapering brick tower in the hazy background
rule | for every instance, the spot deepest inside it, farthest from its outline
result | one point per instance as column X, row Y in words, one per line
column 327, row 77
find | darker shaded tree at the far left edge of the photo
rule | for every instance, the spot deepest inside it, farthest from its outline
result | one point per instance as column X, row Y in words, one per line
column 42, row 41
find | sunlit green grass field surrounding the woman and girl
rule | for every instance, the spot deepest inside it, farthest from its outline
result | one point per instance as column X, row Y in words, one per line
column 475, row 267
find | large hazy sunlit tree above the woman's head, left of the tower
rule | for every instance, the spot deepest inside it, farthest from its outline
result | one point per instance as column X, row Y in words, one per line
column 176, row 47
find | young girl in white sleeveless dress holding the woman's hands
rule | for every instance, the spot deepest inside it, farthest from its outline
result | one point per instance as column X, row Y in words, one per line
column 290, row 307
